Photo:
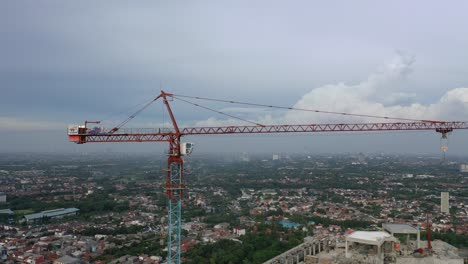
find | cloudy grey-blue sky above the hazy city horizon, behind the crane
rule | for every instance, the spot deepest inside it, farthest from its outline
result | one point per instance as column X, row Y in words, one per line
column 63, row 62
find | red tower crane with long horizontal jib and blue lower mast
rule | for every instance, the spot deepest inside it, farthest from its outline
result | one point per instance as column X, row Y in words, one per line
column 174, row 185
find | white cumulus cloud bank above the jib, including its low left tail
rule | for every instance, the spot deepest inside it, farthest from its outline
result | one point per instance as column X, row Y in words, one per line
column 379, row 94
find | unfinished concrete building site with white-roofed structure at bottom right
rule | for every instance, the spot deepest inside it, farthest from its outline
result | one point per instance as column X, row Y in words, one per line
column 372, row 247
